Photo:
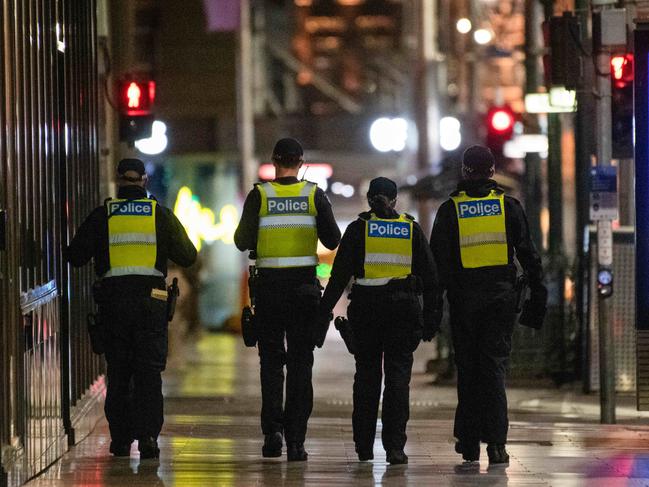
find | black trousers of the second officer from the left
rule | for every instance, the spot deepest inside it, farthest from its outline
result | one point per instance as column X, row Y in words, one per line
column 286, row 316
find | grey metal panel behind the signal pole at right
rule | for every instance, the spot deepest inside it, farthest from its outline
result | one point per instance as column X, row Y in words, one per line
column 623, row 312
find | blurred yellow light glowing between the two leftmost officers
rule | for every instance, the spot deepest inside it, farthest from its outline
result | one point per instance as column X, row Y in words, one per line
column 200, row 222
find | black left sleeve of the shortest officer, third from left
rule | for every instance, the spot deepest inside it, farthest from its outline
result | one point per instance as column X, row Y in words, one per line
column 346, row 264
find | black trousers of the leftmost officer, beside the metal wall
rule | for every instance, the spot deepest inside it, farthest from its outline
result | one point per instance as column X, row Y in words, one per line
column 136, row 354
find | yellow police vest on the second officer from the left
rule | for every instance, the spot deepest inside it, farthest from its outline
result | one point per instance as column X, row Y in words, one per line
column 287, row 235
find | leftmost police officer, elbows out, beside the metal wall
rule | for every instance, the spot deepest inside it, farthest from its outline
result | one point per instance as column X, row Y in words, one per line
column 130, row 239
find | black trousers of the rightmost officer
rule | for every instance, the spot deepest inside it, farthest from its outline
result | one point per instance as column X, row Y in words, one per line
column 482, row 333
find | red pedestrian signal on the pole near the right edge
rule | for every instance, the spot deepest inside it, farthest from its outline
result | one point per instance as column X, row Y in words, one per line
column 622, row 106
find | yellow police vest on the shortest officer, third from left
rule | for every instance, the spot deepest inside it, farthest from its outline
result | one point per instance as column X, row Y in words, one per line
column 388, row 250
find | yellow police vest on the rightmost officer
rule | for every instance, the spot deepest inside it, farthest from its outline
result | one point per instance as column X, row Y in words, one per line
column 482, row 230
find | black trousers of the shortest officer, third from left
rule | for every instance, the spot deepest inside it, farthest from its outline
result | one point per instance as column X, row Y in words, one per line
column 386, row 333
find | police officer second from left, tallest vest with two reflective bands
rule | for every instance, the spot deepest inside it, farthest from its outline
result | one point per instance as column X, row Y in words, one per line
column 281, row 223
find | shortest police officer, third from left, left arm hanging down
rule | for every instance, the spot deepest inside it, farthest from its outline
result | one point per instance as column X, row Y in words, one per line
column 388, row 256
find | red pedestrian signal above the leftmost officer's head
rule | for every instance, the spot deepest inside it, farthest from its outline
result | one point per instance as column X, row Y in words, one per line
column 136, row 97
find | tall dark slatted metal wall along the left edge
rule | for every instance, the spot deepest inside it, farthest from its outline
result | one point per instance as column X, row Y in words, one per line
column 49, row 174
